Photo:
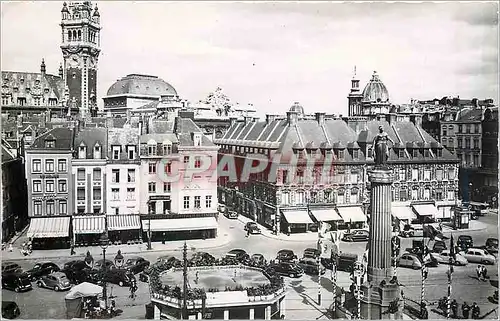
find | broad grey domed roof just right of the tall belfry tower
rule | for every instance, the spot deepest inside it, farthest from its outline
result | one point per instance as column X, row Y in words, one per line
column 142, row 85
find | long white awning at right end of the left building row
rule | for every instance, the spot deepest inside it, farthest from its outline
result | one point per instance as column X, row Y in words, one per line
column 180, row 224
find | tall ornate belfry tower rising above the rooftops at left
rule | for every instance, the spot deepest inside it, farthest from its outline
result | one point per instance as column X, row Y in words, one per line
column 80, row 47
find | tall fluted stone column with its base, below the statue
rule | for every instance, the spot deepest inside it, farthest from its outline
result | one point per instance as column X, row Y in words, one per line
column 377, row 292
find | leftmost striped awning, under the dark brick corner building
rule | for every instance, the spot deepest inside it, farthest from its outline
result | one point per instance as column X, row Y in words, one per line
column 45, row 227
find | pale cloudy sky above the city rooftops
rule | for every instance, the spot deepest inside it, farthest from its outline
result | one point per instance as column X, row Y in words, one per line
column 272, row 54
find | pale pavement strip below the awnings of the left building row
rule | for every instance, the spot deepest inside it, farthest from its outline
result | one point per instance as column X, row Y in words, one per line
column 222, row 239
